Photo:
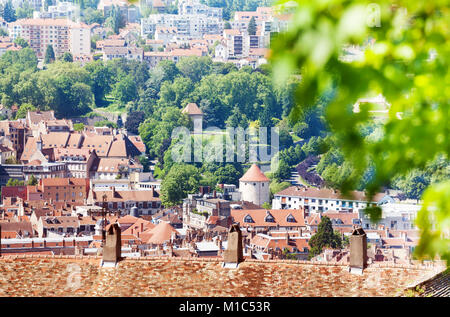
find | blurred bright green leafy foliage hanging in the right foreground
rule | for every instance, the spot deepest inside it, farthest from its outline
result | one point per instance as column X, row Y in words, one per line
column 406, row 60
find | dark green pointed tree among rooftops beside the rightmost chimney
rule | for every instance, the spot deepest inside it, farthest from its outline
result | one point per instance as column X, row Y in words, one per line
column 324, row 237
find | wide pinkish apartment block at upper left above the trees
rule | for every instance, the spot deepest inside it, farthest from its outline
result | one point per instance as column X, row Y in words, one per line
column 63, row 35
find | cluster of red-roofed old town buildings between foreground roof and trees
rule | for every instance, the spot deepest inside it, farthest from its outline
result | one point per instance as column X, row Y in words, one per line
column 74, row 184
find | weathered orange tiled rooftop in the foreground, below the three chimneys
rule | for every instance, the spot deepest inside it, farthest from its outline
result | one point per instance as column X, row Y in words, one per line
column 40, row 275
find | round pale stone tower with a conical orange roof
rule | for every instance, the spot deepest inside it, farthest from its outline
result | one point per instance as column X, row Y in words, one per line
column 254, row 186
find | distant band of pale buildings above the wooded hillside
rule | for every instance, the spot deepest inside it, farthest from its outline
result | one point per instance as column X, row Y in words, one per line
column 195, row 30
